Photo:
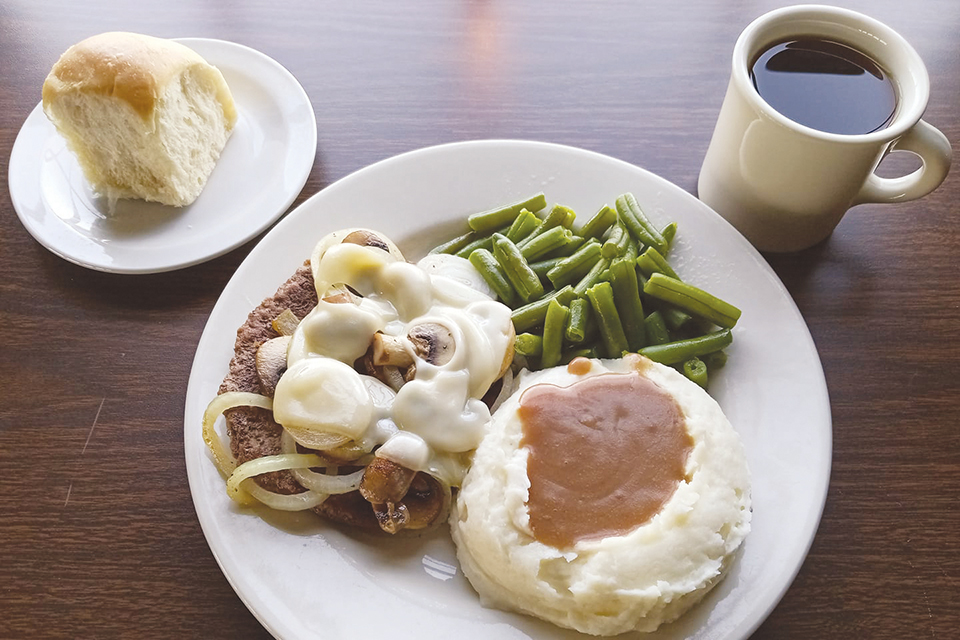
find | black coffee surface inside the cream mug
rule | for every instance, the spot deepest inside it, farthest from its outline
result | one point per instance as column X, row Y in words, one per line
column 825, row 85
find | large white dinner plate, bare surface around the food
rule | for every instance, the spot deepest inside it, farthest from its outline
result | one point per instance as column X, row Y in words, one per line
column 304, row 578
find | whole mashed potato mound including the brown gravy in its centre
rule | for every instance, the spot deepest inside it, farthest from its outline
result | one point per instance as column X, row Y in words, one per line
column 617, row 508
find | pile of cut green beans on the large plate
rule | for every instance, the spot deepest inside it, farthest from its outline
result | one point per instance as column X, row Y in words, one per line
column 603, row 288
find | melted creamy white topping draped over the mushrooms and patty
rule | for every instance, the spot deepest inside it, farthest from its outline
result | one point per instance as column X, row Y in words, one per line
column 436, row 418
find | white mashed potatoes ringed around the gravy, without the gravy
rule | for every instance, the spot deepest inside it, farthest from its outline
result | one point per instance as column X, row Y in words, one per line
column 635, row 580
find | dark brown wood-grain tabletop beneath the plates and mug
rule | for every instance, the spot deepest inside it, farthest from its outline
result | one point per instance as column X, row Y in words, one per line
column 98, row 534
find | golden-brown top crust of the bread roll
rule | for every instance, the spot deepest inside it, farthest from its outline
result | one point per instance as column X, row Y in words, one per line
column 131, row 67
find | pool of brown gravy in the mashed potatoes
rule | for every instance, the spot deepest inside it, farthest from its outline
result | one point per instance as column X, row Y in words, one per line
column 605, row 455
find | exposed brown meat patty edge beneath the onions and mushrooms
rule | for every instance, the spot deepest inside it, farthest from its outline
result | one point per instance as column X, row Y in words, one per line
column 253, row 432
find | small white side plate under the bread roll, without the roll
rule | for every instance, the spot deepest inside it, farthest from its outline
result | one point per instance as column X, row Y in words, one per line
column 261, row 171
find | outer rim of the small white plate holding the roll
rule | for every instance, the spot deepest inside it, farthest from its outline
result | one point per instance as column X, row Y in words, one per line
column 24, row 157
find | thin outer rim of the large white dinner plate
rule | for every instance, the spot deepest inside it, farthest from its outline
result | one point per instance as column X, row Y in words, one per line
column 821, row 490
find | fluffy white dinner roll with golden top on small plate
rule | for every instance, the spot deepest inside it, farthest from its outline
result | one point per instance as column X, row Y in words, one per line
column 146, row 117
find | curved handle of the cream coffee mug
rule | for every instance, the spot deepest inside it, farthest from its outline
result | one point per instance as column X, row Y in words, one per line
column 935, row 153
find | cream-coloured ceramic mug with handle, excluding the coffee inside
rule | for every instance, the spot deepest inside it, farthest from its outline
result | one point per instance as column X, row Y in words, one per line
column 786, row 186
